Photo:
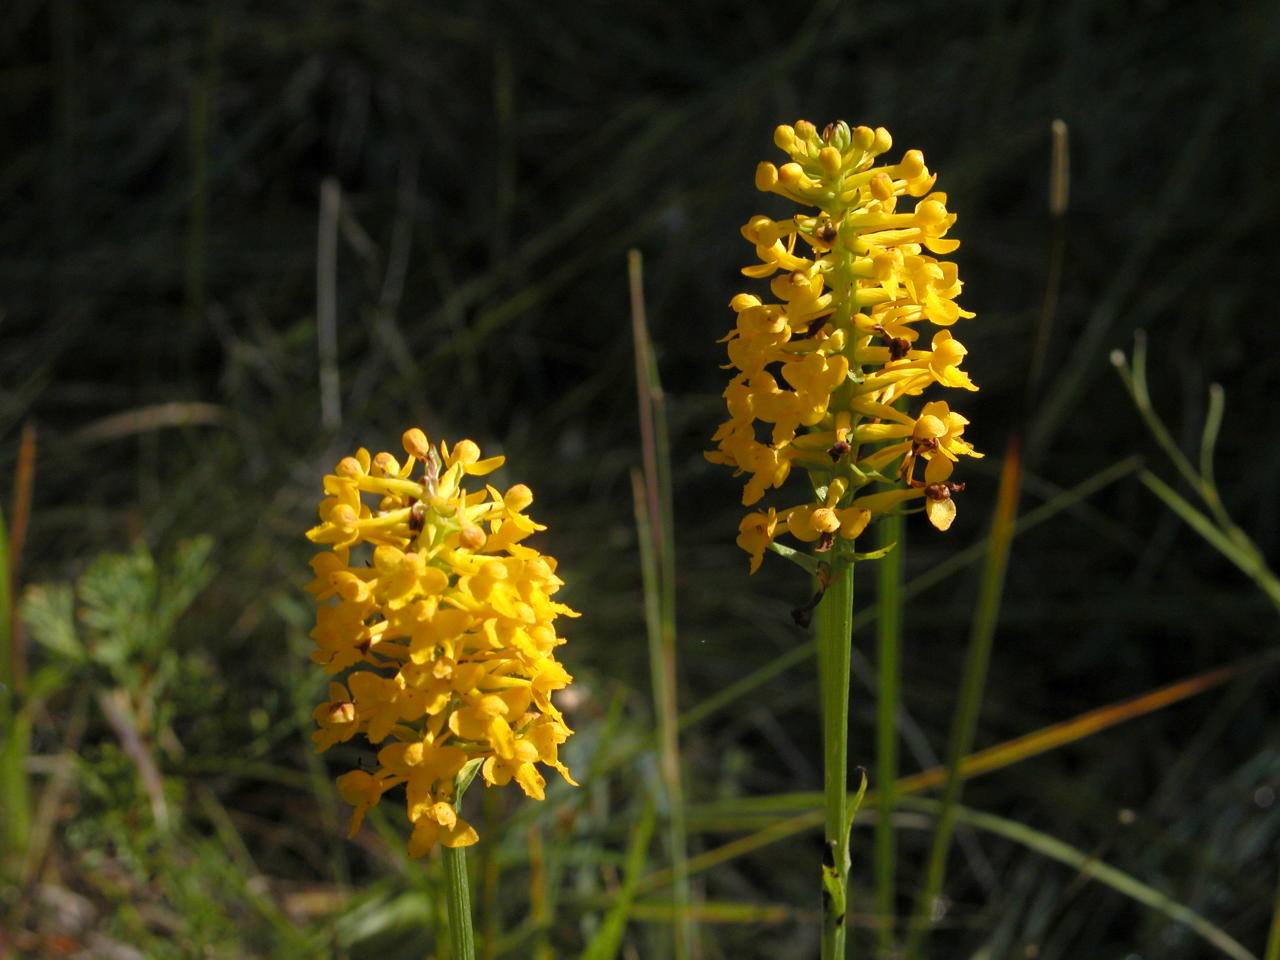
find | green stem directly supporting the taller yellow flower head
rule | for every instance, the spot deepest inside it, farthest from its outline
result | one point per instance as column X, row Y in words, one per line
column 834, row 638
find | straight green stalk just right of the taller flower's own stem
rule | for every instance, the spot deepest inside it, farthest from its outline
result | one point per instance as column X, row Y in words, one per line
column 889, row 638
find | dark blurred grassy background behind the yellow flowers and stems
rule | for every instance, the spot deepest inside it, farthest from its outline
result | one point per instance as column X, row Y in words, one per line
column 488, row 167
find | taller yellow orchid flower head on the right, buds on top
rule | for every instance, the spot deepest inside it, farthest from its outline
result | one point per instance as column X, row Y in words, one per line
column 825, row 367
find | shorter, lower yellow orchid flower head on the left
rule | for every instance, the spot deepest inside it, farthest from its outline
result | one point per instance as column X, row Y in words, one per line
column 446, row 616
